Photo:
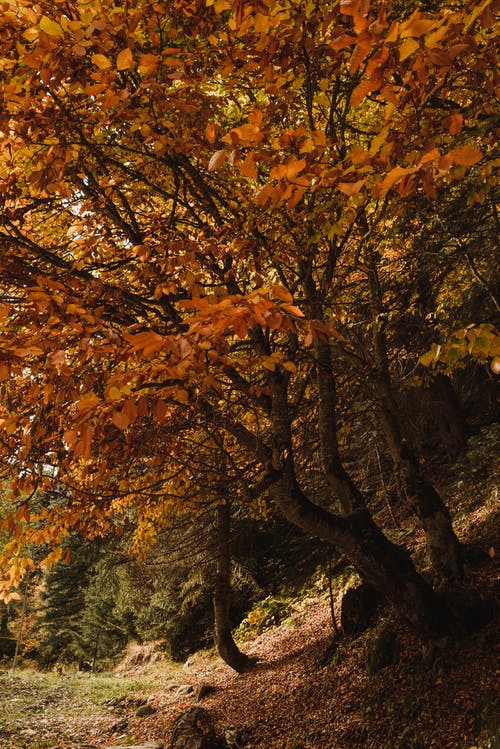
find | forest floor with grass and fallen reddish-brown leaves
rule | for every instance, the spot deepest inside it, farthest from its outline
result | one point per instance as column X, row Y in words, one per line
column 296, row 696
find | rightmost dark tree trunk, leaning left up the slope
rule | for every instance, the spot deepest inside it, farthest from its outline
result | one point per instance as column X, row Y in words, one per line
column 442, row 544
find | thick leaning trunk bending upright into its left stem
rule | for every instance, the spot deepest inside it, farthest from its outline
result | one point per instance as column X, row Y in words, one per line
column 387, row 567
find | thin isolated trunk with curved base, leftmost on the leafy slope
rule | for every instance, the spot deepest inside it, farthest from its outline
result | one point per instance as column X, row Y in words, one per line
column 226, row 646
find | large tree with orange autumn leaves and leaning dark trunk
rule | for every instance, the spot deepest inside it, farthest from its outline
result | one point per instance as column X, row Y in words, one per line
column 188, row 188
